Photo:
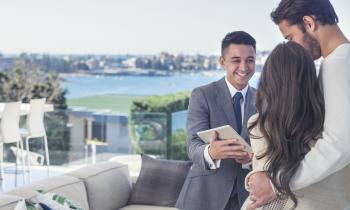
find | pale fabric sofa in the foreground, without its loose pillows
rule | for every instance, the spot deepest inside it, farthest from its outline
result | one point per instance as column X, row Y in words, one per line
column 103, row 186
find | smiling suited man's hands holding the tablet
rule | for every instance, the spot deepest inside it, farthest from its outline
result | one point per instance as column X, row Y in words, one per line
column 225, row 149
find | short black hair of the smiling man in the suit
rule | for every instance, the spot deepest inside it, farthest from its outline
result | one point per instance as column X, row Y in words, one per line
column 237, row 37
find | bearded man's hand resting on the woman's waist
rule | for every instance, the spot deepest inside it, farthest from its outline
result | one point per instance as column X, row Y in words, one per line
column 261, row 191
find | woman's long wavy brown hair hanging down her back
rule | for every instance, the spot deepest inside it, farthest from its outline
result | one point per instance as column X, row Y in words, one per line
column 291, row 112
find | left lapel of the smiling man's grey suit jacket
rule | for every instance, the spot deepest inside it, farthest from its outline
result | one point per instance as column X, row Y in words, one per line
column 225, row 101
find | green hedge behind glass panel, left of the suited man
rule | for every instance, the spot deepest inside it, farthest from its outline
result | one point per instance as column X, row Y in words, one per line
column 157, row 105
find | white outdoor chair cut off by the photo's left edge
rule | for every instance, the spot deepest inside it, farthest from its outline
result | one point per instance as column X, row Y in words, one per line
column 10, row 133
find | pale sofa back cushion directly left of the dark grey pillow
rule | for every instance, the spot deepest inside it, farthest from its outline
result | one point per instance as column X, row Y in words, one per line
column 108, row 185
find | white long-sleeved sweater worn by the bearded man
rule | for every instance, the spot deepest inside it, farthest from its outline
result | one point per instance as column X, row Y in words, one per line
column 332, row 152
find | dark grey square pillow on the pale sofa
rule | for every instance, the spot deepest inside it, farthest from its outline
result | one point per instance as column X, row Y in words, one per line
column 159, row 182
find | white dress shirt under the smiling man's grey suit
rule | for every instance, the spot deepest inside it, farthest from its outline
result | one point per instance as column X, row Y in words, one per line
column 214, row 164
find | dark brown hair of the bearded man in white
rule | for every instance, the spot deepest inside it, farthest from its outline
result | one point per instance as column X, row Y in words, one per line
column 293, row 12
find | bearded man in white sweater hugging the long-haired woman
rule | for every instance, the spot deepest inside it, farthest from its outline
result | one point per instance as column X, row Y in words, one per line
column 313, row 24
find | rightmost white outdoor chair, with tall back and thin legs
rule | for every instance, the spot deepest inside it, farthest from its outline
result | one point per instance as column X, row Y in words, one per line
column 36, row 129
